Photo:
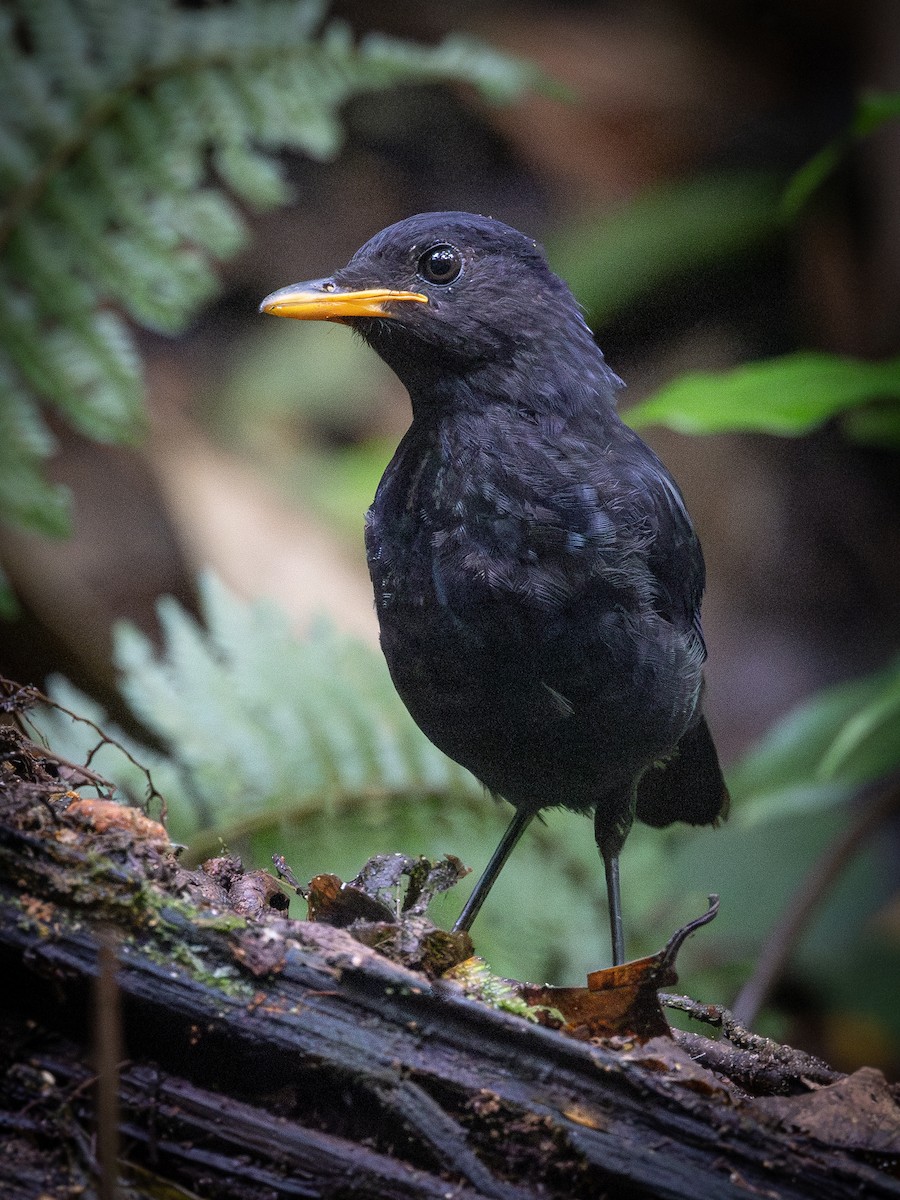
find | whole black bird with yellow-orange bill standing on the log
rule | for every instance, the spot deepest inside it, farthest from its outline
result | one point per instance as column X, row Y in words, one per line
column 537, row 577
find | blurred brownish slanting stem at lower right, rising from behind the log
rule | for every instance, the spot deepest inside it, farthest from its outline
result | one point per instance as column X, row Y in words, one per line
column 788, row 933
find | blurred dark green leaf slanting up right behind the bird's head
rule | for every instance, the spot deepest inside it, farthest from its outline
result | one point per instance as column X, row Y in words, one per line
column 613, row 261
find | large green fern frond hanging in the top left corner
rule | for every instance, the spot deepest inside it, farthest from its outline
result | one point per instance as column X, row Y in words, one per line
column 111, row 115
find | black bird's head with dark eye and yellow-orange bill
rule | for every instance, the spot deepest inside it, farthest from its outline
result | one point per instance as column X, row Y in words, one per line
column 449, row 297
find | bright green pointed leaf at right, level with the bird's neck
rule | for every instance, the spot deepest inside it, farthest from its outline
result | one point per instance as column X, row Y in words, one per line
column 789, row 395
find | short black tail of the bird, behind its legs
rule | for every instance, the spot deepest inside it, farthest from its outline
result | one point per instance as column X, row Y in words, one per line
column 688, row 787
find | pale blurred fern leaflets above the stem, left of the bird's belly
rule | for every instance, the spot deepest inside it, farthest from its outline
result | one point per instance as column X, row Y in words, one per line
column 257, row 718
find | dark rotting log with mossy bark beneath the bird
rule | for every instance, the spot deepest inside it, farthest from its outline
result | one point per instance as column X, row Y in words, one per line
column 271, row 1058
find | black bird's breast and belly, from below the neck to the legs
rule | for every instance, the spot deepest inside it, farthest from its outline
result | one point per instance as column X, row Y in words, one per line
column 518, row 619
